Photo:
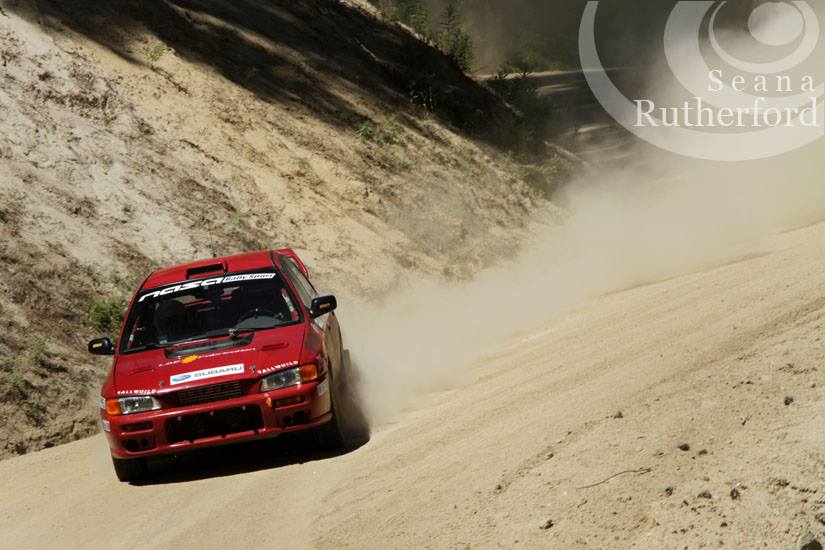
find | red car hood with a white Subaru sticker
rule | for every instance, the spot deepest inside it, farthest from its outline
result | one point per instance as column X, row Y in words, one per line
column 153, row 373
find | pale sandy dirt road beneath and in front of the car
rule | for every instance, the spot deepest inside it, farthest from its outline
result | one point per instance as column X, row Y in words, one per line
column 705, row 359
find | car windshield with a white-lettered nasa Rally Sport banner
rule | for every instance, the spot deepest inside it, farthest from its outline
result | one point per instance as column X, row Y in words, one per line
column 208, row 308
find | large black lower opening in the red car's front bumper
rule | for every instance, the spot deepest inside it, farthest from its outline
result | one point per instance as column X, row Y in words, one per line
column 216, row 423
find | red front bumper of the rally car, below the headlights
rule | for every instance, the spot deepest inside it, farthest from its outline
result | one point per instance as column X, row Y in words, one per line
column 247, row 418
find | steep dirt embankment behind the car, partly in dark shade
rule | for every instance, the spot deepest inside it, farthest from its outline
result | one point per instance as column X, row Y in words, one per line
column 146, row 133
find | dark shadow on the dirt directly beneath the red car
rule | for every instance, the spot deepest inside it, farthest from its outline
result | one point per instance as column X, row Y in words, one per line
column 241, row 458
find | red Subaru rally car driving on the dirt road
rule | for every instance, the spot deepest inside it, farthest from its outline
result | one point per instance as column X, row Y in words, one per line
column 222, row 351
